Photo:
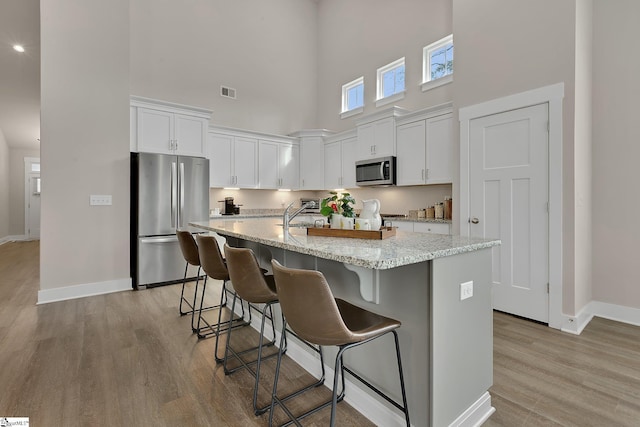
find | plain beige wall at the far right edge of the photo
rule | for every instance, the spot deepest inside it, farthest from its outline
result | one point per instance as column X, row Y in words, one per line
column 616, row 132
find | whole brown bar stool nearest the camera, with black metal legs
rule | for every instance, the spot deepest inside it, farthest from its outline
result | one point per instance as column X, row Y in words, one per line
column 311, row 311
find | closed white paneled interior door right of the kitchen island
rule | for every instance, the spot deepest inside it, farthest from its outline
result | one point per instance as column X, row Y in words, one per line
column 508, row 199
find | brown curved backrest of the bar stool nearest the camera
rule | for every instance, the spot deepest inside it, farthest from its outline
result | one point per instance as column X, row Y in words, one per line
column 309, row 306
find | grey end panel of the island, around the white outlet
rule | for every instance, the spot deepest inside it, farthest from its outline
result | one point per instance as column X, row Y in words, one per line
column 461, row 334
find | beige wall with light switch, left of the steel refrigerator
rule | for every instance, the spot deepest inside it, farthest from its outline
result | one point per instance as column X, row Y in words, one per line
column 85, row 142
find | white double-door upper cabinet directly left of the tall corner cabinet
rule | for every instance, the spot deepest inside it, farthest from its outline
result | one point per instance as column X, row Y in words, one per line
column 278, row 166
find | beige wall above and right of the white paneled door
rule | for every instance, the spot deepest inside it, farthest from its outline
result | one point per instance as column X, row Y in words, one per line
column 505, row 47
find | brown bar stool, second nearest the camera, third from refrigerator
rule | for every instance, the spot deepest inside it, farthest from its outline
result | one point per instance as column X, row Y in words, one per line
column 252, row 285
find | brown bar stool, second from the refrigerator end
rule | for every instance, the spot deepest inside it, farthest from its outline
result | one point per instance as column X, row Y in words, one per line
column 215, row 267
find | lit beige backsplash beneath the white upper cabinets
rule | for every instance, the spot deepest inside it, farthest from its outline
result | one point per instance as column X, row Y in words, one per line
column 393, row 200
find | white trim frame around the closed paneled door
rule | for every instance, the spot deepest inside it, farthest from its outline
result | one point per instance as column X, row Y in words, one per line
column 552, row 95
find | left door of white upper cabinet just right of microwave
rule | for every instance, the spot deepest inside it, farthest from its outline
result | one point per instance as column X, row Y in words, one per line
column 411, row 149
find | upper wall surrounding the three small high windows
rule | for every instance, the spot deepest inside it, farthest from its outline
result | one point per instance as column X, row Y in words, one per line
column 357, row 37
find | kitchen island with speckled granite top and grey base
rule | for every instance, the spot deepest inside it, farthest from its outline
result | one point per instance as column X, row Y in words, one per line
column 446, row 341
